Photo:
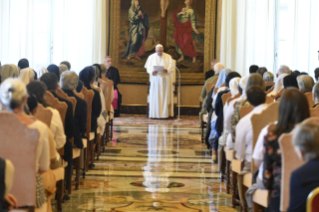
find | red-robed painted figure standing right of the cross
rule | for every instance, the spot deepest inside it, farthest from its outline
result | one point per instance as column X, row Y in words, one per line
column 185, row 22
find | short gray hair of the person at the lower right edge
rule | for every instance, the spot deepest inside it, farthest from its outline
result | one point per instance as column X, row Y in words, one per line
column 306, row 138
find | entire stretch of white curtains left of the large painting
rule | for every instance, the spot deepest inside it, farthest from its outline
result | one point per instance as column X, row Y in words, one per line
column 51, row 31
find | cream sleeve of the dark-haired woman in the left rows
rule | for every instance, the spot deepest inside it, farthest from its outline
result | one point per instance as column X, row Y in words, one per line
column 59, row 135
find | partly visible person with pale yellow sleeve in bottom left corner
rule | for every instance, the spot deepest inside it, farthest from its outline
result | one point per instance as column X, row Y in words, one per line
column 7, row 200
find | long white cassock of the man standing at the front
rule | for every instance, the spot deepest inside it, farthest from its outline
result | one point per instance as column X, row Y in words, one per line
column 161, row 98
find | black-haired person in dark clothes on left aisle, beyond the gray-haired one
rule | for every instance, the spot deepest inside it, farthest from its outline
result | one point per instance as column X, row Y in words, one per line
column 87, row 76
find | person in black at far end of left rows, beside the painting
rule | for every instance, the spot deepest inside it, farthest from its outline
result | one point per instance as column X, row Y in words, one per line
column 113, row 74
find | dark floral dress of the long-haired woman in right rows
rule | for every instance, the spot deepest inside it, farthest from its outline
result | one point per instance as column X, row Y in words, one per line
column 272, row 170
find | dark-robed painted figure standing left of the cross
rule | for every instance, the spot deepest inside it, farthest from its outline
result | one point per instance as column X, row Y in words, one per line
column 138, row 29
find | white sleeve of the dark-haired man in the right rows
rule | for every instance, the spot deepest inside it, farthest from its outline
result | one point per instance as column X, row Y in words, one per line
column 240, row 144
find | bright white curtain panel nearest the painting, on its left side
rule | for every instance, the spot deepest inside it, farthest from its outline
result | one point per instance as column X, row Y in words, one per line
column 79, row 34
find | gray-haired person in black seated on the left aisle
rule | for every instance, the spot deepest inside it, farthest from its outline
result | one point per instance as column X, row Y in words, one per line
column 69, row 82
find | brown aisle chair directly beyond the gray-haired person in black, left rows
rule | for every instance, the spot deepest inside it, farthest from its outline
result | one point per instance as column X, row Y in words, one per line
column 88, row 97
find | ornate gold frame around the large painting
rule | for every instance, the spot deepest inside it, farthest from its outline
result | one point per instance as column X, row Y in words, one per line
column 143, row 77
